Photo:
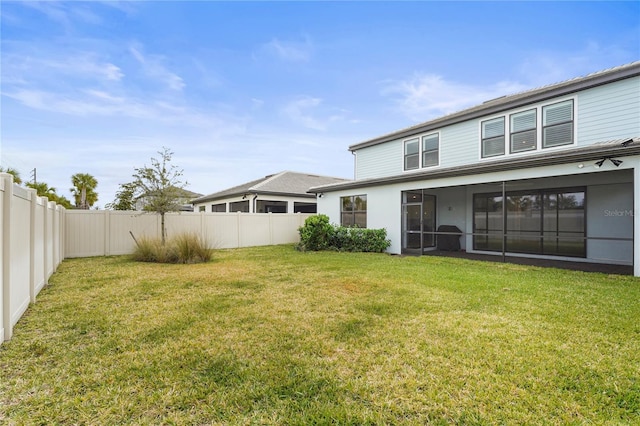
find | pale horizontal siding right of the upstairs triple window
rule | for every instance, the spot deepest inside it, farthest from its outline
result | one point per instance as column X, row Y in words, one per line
column 609, row 112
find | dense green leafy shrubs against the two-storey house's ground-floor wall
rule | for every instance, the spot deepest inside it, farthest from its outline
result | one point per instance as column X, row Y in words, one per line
column 318, row 234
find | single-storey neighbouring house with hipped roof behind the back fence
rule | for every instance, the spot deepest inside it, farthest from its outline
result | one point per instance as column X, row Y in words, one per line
column 284, row 192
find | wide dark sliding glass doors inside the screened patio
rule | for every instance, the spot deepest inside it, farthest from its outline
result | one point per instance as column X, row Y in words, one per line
column 548, row 222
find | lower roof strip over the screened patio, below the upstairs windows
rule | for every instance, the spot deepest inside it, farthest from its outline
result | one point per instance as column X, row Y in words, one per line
column 605, row 149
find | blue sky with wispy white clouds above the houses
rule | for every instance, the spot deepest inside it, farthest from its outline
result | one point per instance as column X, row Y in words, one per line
column 239, row 90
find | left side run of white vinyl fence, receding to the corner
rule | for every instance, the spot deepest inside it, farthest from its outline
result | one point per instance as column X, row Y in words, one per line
column 30, row 251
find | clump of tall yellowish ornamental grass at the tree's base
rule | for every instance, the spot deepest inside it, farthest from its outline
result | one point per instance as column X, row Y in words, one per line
column 184, row 248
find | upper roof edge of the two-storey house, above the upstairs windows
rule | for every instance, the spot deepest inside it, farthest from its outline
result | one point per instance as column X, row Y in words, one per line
column 503, row 103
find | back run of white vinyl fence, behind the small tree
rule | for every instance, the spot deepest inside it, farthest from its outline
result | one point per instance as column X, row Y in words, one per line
column 104, row 232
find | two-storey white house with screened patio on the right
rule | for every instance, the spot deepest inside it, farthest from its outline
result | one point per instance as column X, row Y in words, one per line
column 564, row 157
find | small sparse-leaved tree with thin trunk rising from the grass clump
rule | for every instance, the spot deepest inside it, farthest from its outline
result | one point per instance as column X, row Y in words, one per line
column 159, row 186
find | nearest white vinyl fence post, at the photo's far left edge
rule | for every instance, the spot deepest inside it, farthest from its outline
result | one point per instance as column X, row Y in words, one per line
column 6, row 255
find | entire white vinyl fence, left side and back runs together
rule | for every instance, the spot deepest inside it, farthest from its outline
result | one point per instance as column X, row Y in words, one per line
column 36, row 235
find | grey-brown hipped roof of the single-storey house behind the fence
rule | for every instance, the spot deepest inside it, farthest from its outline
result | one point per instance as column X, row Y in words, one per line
column 283, row 183
